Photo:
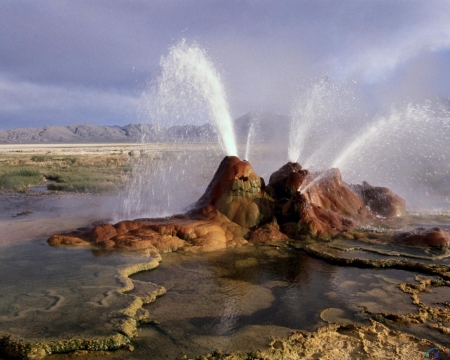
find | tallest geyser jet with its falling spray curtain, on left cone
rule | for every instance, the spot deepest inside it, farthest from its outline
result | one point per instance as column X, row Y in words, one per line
column 188, row 91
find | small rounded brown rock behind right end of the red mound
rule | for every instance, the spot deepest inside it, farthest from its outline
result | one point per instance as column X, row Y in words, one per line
column 380, row 200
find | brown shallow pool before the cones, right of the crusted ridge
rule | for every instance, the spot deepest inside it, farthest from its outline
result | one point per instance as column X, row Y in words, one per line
column 216, row 300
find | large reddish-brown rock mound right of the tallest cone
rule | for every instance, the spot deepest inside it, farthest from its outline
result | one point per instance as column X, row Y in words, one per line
column 325, row 207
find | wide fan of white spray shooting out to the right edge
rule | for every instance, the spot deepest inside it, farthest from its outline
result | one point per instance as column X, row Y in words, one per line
column 406, row 150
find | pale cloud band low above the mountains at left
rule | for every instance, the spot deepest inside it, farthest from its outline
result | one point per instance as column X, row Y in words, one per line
column 27, row 104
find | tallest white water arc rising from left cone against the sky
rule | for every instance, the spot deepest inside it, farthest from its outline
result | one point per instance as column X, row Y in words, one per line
column 190, row 90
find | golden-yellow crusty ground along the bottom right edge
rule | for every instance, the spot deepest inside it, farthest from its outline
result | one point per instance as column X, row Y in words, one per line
column 340, row 341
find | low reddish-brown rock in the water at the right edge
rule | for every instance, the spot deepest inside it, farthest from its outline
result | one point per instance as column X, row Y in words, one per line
column 435, row 237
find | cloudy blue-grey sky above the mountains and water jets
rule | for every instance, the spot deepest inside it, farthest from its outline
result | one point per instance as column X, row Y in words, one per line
column 89, row 61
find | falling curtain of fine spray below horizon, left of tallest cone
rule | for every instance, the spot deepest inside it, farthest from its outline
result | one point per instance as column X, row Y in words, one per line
column 162, row 182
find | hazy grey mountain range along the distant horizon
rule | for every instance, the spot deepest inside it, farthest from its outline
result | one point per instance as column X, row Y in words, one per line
column 267, row 125
